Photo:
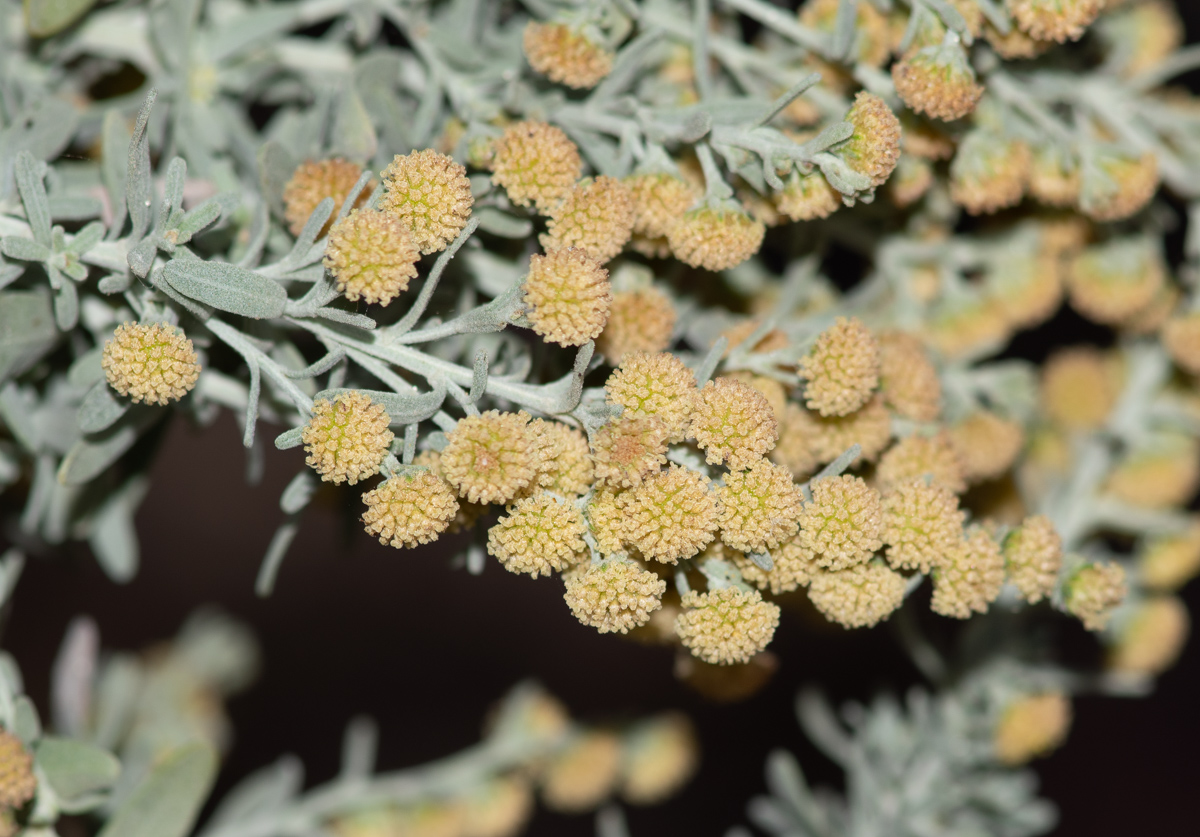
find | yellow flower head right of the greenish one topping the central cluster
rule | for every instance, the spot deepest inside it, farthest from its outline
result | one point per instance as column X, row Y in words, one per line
column 734, row 424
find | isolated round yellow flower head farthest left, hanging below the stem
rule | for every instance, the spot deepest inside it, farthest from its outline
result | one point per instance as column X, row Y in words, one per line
column 151, row 363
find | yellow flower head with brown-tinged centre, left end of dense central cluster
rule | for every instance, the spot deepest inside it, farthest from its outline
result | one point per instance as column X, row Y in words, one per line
column 490, row 457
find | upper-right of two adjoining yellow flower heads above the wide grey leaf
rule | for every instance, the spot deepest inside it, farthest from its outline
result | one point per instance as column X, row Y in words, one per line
column 429, row 194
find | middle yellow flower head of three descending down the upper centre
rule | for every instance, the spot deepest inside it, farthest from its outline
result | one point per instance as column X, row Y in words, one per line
column 597, row 216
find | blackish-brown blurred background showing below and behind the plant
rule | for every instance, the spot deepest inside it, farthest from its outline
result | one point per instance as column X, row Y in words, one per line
column 357, row 628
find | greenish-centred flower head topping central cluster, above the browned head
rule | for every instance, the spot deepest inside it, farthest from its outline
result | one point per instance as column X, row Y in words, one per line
column 656, row 386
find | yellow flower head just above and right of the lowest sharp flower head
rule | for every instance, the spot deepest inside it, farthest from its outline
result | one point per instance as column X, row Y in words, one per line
column 760, row 508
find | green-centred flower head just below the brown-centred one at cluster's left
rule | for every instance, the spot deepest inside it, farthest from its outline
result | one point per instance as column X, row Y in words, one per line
column 541, row 535
